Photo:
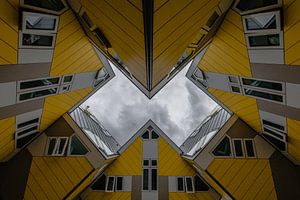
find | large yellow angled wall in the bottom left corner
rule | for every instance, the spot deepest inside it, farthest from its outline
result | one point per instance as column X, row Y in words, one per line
column 54, row 177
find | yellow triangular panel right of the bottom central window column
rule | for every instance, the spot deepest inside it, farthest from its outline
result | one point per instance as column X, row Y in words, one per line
column 170, row 163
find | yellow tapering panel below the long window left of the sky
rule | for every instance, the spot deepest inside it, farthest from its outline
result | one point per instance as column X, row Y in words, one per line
column 56, row 106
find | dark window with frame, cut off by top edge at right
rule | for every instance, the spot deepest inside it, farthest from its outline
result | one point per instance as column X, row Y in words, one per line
column 246, row 6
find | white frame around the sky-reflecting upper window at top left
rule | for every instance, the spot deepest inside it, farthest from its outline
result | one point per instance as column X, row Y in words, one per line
column 35, row 31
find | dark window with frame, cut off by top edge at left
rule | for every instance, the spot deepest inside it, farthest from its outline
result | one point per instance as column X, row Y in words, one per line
column 54, row 6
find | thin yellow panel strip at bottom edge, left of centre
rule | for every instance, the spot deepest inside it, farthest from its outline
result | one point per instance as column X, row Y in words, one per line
column 108, row 196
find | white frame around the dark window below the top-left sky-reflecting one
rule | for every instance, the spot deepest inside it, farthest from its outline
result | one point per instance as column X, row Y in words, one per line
column 21, row 46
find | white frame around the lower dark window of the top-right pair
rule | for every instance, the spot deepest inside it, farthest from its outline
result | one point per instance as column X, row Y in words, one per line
column 280, row 33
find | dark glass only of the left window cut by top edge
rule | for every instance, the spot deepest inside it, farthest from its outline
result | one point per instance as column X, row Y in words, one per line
column 55, row 5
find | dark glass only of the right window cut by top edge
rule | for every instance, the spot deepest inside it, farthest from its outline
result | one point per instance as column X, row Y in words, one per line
column 245, row 5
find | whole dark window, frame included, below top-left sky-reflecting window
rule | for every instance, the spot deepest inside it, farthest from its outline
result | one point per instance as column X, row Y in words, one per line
column 29, row 40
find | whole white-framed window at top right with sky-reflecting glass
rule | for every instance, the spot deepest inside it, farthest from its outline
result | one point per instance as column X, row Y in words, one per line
column 262, row 22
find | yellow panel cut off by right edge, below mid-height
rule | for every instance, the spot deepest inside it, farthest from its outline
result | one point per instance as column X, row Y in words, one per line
column 293, row 138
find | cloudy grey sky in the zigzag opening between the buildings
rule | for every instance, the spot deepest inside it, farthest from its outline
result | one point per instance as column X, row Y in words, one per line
column 178, row 108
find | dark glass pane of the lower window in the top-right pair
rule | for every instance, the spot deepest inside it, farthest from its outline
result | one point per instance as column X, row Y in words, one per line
column 264, row 40
